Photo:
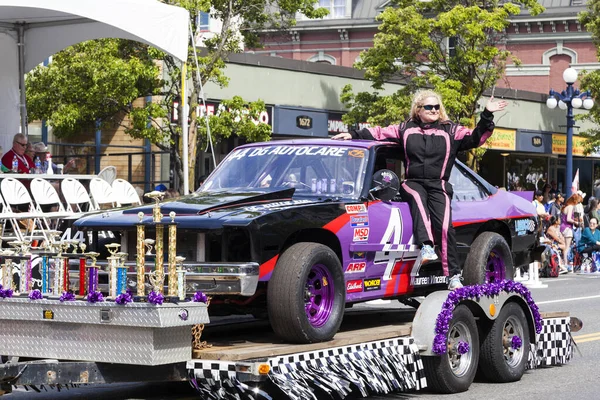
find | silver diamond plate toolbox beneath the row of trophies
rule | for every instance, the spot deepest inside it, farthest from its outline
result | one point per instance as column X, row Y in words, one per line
column 137, row 333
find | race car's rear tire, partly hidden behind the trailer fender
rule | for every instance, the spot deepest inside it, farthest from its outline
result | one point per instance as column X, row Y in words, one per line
column 489, row 260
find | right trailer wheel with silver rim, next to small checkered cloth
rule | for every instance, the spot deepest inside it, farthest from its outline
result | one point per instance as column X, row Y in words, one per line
column 499, row 362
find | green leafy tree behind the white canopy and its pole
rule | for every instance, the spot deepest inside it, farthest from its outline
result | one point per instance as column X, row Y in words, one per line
column 99, row 80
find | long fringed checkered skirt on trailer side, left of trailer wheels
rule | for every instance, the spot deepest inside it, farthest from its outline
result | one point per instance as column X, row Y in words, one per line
column 378, row 367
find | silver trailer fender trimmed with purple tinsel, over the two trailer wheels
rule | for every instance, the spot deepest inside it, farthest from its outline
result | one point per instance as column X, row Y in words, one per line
column 486, row 308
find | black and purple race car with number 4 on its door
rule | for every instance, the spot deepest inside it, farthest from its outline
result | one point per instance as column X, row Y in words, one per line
column 302, row 229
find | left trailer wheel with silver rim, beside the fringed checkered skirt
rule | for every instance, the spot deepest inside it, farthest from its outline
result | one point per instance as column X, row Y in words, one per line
column 453, row 372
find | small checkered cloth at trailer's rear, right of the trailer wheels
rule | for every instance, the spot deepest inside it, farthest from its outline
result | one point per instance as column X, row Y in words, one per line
column 554, row 345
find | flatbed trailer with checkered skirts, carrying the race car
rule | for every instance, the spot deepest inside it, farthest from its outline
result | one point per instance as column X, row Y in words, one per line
column 377, row 351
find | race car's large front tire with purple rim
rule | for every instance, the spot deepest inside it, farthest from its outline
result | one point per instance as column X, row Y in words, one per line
column 306, row 295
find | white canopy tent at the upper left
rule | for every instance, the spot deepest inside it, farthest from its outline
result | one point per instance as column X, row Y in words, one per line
column 33, row 30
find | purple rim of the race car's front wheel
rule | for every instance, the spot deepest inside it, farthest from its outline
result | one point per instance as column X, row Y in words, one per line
column 319, row 295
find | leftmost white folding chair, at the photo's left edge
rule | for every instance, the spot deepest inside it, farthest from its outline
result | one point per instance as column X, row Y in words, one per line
column 15, row 194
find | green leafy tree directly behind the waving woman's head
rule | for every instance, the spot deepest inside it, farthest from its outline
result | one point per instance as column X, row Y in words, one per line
column 454, row 47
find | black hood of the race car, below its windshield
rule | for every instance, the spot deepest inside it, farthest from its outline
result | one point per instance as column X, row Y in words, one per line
column 212, row 208
